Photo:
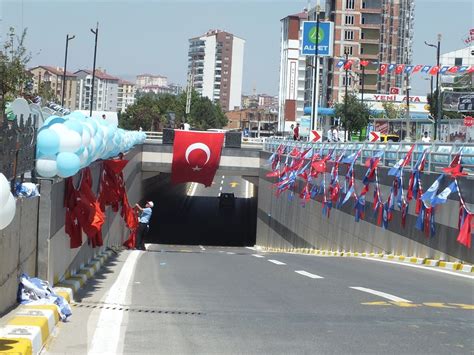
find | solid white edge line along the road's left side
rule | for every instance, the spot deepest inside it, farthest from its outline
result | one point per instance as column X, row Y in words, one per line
column 106, row 337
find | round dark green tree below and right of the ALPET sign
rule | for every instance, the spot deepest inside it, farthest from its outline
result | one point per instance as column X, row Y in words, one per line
column 356, row 117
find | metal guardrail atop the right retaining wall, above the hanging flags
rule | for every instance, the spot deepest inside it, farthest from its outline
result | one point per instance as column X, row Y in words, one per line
column 439, row 156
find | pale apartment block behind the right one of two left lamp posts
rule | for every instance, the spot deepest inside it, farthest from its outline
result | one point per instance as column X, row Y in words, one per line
column 105, row 90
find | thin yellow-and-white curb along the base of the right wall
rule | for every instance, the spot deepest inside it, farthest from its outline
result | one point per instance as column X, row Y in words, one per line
column 454, row 266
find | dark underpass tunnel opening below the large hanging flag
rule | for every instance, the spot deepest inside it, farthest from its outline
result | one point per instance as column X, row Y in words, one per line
column 224, row 214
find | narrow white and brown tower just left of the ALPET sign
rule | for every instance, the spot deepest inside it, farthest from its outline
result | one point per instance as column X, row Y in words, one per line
column 292, row 71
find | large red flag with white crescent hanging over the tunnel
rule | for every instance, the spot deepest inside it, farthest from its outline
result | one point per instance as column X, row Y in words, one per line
column 196, row 156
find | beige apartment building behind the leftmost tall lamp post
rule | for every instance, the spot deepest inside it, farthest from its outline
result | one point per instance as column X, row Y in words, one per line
column 51, row 78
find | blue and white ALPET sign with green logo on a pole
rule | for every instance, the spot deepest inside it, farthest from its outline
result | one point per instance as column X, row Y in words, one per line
column 324, row 41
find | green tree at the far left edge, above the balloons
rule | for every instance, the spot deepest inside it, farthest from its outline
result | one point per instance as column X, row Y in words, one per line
column 14, row 58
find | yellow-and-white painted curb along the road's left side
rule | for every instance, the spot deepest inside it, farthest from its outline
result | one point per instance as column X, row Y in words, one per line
column 30, row 326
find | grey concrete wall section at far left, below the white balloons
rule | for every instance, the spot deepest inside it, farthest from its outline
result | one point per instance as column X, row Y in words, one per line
column 18, row 247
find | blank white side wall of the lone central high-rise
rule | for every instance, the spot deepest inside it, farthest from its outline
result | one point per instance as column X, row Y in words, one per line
column 236, row 73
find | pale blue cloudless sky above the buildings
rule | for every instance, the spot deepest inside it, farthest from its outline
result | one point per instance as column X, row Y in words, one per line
column 138, row 36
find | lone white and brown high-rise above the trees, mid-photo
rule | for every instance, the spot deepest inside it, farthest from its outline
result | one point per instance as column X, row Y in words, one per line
column 216, row 63
